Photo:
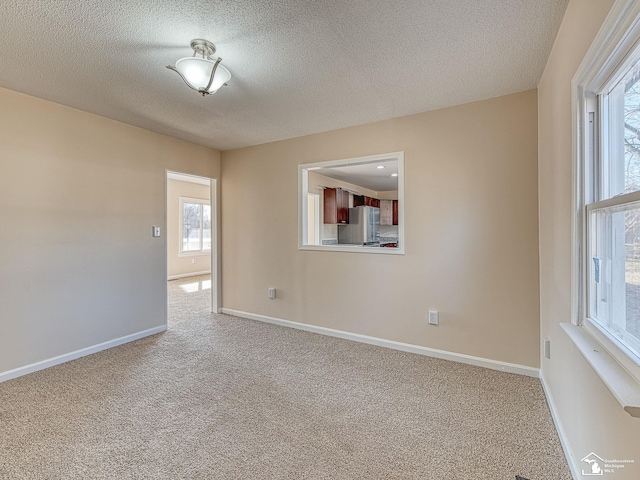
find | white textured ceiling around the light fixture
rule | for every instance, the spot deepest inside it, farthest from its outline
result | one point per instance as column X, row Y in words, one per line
column 298, row 67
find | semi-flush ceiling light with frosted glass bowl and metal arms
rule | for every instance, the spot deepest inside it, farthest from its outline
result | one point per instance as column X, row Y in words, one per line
column 202, row 74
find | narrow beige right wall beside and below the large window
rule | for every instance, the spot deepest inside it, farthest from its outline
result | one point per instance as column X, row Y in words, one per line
column 589, row 415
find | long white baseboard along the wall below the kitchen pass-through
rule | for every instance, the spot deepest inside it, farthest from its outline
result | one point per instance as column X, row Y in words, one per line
column 405, row 347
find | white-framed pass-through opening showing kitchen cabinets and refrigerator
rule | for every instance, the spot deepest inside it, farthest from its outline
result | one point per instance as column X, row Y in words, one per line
column 352, row 205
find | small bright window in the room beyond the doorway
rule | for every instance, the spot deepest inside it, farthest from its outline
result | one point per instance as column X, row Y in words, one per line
column 195, row 226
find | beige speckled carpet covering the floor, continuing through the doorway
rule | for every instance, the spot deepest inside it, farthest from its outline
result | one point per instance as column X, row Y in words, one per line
column 217, row 397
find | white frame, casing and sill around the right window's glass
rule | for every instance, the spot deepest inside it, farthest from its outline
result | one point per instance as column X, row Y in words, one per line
column 612, row 52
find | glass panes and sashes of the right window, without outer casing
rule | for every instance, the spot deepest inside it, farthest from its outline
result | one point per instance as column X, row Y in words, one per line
column 613, row 210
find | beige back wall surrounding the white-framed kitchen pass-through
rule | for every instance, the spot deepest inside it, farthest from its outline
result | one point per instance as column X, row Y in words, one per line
column 471, row 233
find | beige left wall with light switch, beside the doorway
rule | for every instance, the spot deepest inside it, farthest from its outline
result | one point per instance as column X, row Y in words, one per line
column 78, row 196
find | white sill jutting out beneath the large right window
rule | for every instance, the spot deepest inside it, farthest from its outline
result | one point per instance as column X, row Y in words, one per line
column 617, row 379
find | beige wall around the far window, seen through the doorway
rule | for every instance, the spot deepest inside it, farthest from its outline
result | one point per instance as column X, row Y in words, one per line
column 177, row 264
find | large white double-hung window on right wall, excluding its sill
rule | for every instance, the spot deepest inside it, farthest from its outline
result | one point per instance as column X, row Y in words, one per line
column 608, row 190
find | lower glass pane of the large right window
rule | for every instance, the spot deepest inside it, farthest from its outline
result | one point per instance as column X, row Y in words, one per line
column 614, row 273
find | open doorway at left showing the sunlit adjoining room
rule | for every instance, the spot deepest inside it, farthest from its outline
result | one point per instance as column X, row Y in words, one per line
column 192, row 246
